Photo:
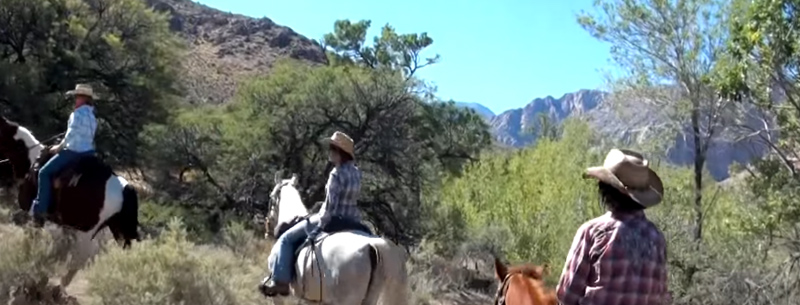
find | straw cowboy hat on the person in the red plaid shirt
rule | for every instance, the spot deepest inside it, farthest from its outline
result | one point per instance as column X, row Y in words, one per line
column 628, row 171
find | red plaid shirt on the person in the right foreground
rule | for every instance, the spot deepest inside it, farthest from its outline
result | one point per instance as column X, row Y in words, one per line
column 616, row 259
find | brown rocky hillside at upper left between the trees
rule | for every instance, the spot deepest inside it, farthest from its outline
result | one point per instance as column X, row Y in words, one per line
column 223, row 47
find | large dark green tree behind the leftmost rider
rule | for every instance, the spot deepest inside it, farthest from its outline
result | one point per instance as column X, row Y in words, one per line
column 121, row 47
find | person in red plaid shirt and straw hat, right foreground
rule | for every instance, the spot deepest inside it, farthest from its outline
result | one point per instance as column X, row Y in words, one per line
column 619, row 258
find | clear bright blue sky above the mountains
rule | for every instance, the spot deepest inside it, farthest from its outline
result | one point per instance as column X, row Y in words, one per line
column 500, row 53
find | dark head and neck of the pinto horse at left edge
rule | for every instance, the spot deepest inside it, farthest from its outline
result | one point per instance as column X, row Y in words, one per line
column 18, row 149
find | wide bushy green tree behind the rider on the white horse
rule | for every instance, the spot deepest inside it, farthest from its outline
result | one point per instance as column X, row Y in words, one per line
column 278, row 121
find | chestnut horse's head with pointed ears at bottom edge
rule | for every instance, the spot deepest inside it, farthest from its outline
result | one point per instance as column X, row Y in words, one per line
column 522, row 285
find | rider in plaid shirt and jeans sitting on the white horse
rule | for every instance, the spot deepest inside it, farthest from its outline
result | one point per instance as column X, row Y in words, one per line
column 342, row 190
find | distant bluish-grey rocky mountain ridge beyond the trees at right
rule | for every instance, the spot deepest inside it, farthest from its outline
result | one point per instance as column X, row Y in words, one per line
column 636, row 125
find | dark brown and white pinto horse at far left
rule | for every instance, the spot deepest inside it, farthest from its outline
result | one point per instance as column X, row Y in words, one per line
column 87, row 195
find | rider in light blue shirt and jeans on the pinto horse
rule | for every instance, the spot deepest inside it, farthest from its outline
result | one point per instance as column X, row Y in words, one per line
column 78, row 141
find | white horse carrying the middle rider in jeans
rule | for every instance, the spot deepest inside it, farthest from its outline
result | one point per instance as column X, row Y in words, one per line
column 357, row 268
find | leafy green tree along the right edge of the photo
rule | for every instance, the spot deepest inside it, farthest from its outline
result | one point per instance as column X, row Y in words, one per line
column 760, row 72
